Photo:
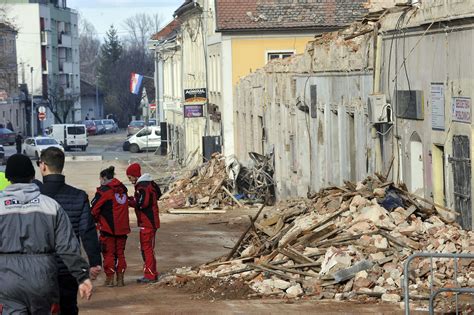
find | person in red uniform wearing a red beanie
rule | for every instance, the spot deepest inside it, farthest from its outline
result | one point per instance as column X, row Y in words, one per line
column 145, row 202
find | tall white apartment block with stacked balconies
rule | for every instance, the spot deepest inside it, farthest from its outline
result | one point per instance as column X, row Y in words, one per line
column 48, row 55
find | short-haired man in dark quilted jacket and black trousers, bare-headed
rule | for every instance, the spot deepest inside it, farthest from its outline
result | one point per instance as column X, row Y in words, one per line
column 75, row 203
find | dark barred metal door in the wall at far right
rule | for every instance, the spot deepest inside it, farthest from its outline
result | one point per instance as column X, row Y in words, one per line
column 461, row 161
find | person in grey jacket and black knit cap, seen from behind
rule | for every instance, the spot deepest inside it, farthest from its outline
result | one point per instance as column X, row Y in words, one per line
column 33, row 228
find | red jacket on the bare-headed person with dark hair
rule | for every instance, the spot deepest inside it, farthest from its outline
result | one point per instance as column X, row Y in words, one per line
column 110, row 208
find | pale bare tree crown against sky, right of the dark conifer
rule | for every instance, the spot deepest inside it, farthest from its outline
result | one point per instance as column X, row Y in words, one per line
column 141, row 27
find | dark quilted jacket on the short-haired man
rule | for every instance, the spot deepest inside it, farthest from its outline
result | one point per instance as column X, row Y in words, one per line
column 75, row 203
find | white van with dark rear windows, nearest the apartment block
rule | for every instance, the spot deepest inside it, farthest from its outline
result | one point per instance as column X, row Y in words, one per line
column 70, row 135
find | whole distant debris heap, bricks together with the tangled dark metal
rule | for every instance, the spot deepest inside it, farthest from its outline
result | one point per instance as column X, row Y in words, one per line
column 221, row 183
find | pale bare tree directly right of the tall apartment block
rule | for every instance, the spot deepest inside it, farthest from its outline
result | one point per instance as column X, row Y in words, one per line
column 89, row 45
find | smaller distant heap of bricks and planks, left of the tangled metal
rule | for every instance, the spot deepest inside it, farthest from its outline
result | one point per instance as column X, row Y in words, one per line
column 204, row 186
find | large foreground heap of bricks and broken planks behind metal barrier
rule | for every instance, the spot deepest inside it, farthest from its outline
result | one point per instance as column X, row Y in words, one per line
column 347, row 242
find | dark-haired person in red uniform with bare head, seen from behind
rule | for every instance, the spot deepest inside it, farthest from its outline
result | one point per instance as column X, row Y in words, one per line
column 110, row 211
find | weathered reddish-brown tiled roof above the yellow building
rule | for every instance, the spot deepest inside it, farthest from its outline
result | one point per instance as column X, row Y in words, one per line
column 235, row 15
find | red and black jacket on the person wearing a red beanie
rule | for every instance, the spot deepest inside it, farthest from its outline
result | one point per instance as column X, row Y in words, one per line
column 145, row 202
